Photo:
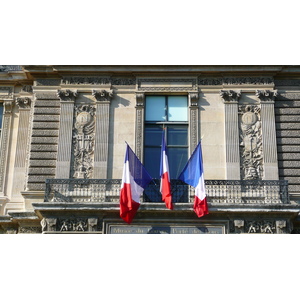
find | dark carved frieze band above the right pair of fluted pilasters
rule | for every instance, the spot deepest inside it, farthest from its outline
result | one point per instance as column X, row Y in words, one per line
column 236, row 81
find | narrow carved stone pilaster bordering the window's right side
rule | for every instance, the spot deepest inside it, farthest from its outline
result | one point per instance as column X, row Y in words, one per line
column 194, row 121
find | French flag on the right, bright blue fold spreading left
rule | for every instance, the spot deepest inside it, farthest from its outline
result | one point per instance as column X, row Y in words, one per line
column 192, row 174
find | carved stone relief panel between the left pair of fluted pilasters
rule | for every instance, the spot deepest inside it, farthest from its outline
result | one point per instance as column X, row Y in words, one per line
column 83, row 141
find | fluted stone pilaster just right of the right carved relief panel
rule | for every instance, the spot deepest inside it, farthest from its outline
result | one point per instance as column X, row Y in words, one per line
column 268, row 134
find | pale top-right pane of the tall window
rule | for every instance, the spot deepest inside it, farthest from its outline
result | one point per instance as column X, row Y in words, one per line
column 178, row 110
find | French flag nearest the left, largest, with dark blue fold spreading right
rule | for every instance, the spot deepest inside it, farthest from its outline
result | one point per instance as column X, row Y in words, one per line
column 134, row 180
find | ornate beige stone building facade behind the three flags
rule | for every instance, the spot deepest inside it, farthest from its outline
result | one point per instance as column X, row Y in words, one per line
column 63, row 133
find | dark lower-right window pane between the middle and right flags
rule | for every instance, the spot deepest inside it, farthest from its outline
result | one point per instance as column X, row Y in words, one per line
column 177, row 160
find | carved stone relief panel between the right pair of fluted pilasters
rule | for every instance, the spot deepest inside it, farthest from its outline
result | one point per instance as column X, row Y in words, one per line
column 251, row 142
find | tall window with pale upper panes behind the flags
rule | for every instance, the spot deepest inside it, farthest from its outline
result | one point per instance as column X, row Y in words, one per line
column 168, row 113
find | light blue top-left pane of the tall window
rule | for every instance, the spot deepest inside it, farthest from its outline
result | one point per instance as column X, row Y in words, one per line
column 155, row 108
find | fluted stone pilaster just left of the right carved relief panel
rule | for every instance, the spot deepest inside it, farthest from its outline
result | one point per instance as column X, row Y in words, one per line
column 230, row 99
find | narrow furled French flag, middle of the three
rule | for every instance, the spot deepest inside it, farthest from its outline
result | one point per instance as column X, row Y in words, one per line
column 165, row 186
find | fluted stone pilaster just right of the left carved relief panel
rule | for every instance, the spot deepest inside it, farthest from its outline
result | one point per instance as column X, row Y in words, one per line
column 103, row 98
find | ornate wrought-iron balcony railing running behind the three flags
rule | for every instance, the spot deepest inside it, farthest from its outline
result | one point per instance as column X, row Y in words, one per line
column 217, row 191
